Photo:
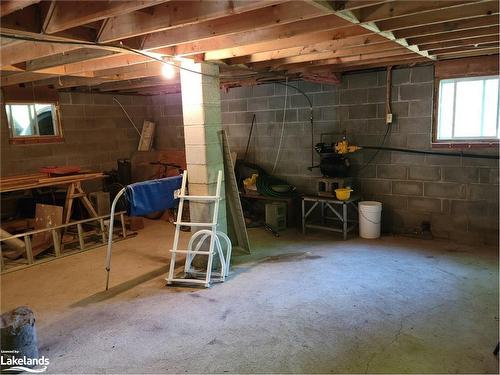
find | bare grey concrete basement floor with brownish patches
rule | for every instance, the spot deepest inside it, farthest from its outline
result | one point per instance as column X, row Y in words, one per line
column 299, row 304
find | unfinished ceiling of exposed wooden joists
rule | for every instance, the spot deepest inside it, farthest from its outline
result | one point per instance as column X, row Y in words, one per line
column 250, row 40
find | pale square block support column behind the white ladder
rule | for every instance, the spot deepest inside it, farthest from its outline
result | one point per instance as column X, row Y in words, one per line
column 202, row 124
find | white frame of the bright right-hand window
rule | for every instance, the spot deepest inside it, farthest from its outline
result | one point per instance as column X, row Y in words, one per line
column 438, row 117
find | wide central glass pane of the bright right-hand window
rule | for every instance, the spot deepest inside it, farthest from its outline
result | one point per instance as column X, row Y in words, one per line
column 468, row 108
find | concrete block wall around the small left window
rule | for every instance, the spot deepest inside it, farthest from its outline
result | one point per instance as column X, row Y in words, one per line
column 96, row 133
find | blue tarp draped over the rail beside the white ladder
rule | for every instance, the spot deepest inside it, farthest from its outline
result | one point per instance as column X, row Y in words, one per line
column 154, row 195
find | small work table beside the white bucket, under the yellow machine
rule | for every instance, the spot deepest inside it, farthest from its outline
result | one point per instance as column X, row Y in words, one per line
column 329, row 205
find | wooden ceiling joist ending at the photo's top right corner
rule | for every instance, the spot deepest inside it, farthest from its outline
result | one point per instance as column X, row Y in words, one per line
column 481, row 9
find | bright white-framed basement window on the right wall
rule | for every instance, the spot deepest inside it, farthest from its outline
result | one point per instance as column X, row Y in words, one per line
column 468, row 109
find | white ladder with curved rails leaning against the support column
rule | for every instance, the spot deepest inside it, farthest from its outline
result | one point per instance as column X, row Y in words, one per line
column 197, row 240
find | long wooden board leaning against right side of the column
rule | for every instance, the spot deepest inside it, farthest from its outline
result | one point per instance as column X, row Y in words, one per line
column 237, row 230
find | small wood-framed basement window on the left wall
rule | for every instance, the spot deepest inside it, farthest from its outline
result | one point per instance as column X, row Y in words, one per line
column 33, row 122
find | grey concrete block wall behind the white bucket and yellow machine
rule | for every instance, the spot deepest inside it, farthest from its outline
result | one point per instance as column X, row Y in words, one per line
column 458, row 196
